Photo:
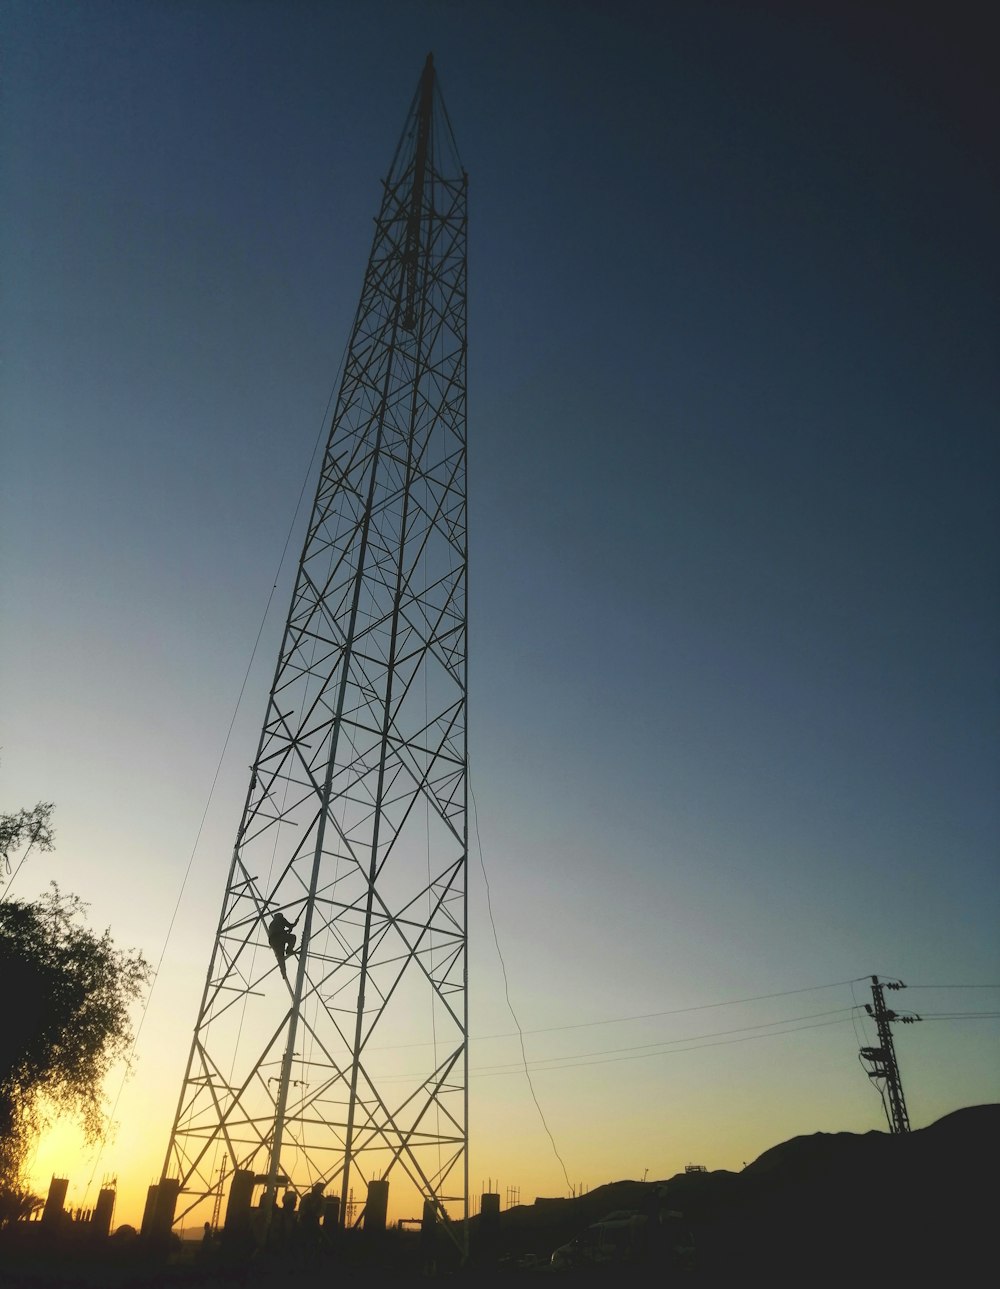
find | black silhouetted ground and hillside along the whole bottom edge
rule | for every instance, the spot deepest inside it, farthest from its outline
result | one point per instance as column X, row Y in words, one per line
column 825, row 1208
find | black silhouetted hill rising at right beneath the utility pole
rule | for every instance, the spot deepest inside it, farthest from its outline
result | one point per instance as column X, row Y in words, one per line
column 819, row 1210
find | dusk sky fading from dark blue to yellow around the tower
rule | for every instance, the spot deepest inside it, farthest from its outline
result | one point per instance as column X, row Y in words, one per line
column 734, row 460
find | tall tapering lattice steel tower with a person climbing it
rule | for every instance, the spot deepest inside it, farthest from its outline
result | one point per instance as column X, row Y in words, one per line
column 349, row 1061
